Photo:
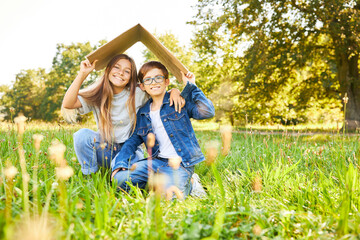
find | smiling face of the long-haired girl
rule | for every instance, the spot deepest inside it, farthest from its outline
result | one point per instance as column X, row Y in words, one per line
column 120, row 75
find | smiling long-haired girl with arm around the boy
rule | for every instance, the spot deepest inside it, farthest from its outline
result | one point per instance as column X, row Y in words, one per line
column 114, row 101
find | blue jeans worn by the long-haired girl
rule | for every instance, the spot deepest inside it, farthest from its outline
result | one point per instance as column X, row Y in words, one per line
column 89, row 153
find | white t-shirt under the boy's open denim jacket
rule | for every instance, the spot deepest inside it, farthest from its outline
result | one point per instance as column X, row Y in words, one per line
column 166, row 148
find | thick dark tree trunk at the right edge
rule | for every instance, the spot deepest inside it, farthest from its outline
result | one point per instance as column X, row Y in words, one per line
column 348, row 75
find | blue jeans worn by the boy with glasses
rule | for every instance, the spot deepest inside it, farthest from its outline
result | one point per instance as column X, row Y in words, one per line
column 139, row 177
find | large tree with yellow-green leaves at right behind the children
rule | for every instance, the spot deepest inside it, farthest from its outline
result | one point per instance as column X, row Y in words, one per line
column 281, row 39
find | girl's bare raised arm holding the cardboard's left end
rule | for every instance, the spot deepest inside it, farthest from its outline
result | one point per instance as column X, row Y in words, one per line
column 71, row 99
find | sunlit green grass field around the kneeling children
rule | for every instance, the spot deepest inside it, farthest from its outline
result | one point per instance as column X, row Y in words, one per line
column 269, row 186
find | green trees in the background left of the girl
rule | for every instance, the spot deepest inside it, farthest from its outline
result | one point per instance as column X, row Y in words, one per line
column 38, row 94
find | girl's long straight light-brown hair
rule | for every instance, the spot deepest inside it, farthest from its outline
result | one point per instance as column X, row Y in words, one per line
column 100, row 94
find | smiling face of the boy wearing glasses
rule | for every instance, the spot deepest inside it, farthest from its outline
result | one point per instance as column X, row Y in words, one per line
column 154, row 88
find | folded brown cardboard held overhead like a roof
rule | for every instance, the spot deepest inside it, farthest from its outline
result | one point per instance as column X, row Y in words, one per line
column 124, row 41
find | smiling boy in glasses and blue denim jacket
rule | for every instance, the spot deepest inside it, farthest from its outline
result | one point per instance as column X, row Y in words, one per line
column 174, row 135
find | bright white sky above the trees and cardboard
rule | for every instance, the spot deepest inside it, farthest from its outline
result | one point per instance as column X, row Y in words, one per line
column 30, row 29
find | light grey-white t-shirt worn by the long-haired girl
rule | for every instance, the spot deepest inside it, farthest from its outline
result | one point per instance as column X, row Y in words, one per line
column 122, row 124
